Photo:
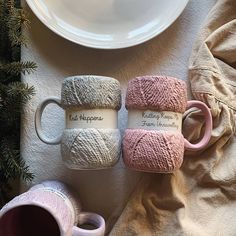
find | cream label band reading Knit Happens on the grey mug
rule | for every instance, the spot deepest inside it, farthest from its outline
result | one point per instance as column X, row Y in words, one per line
column 91, row 118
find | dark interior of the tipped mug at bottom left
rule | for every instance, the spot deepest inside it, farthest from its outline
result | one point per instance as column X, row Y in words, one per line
column 28, row 220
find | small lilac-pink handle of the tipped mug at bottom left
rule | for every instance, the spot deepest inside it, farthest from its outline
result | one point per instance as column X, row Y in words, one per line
column 90, row 218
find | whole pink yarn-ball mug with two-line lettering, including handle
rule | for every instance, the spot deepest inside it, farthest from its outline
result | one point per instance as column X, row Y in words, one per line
column 153, row 141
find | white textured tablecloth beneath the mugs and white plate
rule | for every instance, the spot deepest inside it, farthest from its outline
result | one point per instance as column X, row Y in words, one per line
column 105, row 191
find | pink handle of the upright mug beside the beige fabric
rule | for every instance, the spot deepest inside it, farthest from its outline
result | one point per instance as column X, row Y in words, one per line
column 208, row 126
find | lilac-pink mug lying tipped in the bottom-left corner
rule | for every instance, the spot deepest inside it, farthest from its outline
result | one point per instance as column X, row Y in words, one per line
column 49, row 208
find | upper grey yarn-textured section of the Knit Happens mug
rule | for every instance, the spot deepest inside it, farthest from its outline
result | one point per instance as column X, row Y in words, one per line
column 90, row 91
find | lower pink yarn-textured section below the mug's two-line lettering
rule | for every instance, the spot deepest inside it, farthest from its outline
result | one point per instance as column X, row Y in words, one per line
column 153, row 151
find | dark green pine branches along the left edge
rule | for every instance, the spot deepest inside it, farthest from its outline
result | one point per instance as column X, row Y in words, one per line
column 13, row 95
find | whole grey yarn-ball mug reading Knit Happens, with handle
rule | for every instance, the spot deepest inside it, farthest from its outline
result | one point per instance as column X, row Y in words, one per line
column 91, row 139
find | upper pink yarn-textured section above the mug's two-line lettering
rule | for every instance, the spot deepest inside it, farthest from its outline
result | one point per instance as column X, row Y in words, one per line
column 160, row 93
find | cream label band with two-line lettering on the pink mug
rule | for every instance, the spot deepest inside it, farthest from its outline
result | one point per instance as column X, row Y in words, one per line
column 155, row 120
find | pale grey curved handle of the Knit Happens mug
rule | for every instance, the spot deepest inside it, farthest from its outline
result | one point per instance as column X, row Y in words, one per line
column 38, row 123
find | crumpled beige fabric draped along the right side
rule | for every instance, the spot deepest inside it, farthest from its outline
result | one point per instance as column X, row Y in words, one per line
column 199, row 199
